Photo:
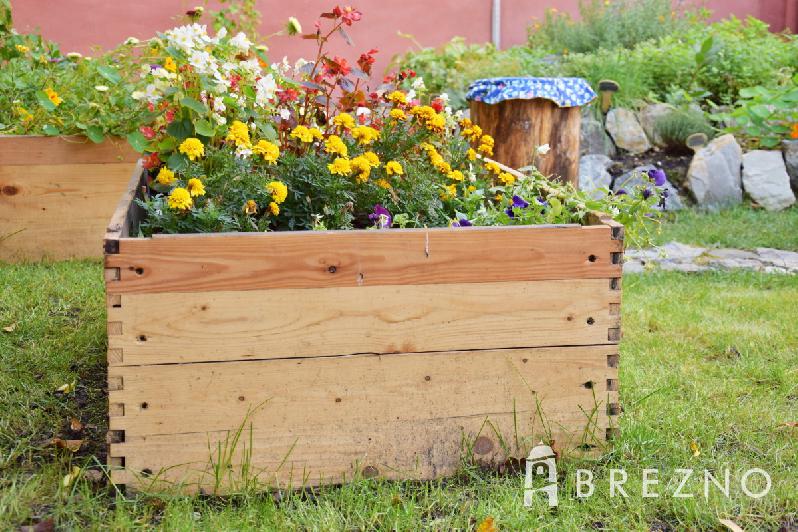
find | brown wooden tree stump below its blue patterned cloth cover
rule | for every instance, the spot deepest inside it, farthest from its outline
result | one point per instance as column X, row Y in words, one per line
column 520, row 126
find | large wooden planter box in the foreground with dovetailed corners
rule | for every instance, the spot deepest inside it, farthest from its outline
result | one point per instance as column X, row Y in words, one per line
column 391, row 353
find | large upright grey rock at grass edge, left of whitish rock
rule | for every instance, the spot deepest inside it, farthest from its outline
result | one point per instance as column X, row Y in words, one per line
column 714, row 173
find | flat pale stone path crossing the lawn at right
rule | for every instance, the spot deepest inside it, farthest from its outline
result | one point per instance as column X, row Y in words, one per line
column 675, row 256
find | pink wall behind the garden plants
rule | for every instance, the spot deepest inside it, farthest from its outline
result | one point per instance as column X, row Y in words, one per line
column 81, row 24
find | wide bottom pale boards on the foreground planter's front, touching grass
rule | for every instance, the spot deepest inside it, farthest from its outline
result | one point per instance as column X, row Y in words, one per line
column 401, row 416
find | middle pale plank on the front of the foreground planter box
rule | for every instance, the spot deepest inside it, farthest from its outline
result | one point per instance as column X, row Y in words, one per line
column 232, row 325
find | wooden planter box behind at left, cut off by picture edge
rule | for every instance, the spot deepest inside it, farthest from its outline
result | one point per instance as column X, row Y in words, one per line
column 57, row 194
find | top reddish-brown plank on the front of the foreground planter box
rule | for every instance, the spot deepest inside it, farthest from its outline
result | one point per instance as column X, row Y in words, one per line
column 250, row 261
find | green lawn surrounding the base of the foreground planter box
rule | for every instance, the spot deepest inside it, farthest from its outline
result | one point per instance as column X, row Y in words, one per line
column 708, row 359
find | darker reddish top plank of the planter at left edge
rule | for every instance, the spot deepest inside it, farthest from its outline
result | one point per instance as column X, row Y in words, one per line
column 34, row 150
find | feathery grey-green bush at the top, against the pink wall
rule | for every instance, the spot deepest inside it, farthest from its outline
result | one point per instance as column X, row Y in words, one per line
column 606, row 24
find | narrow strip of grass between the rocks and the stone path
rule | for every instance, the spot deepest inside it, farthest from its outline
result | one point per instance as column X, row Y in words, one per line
column 741, row 227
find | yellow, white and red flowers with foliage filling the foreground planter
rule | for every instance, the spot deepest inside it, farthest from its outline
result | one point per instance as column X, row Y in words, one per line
column 243, row 145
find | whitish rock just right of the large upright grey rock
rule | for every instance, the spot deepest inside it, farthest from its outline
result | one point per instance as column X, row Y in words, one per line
column 765, row 179
